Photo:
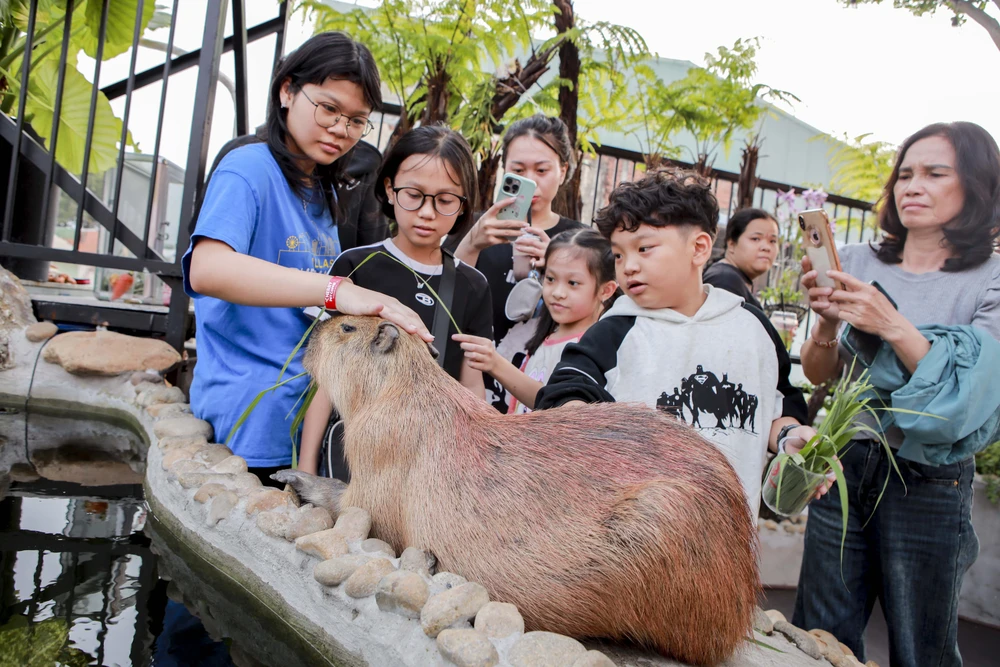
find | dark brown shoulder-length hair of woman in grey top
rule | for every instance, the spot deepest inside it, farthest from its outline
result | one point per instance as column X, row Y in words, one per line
column 972, row 235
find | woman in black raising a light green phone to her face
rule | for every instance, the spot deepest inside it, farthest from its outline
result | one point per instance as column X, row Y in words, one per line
column 537, row 148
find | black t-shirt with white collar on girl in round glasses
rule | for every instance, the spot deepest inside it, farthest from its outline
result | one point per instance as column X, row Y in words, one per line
column 381, row 274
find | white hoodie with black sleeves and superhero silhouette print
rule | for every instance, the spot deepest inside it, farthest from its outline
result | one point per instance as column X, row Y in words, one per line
column 723, row 371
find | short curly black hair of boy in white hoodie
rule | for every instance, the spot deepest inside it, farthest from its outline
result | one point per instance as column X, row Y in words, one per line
column 661, row 199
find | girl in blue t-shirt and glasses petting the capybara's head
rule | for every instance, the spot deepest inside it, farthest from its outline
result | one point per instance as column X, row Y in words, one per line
column 265, row 240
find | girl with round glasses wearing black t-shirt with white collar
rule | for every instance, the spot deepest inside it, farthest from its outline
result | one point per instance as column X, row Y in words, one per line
column 428, row 188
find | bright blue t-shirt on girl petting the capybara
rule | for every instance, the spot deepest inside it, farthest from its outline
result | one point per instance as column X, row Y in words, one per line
column 241, row 349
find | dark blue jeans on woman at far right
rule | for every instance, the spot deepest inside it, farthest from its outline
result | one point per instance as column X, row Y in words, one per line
column 911, row 555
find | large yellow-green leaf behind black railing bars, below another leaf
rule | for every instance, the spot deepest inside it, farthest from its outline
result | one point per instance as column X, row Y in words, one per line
column 39, row 107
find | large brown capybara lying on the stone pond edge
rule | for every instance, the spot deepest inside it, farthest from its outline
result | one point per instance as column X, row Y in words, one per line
column 609, row 520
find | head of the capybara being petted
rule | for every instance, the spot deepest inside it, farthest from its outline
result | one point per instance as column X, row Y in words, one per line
column 359, row 359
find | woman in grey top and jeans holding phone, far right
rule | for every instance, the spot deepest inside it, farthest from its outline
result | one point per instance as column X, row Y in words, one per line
column 940, row 219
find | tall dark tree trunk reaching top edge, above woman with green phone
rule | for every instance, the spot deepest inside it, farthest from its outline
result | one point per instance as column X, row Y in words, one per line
column 568, row 202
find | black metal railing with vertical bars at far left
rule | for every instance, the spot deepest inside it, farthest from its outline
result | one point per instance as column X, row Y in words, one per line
column 32, row 170
